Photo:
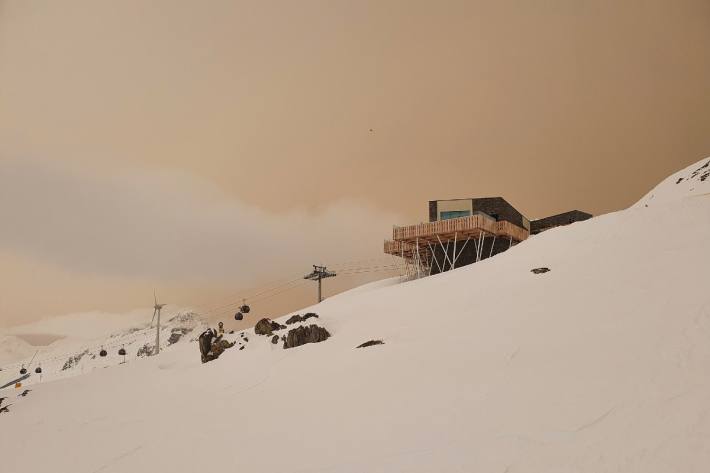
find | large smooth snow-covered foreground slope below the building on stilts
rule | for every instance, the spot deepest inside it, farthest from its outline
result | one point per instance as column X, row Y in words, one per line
column 600, row 365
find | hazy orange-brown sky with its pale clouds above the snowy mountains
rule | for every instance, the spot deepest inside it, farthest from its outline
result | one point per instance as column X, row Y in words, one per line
column 262, row 111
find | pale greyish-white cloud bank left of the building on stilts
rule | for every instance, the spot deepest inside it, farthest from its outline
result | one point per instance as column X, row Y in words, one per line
column 168, row 226
